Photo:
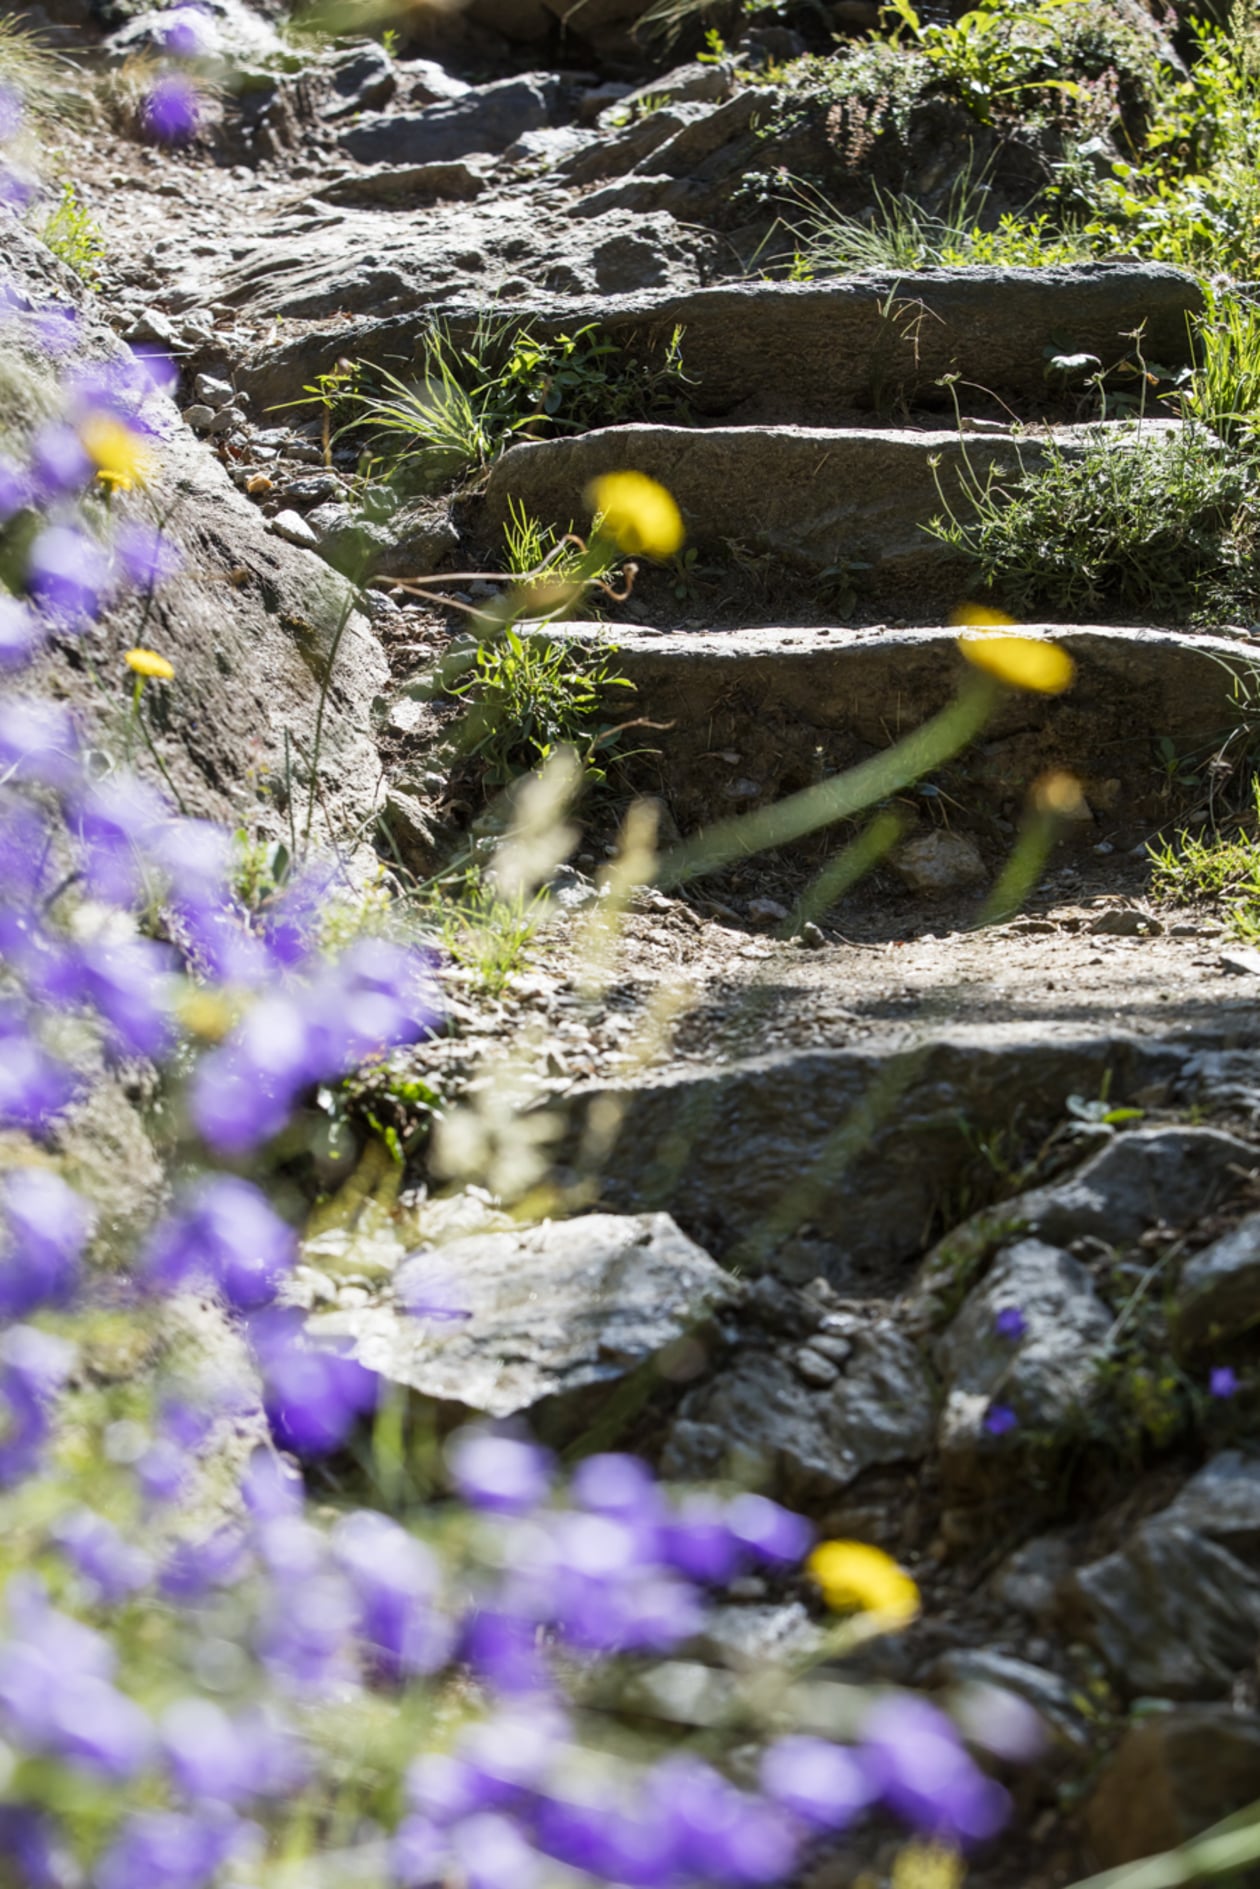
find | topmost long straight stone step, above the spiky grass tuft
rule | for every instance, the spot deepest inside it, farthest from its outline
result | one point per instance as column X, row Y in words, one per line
column 809, row 352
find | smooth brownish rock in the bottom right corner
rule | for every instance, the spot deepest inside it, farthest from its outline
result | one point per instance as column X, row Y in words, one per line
column 1170, row 1778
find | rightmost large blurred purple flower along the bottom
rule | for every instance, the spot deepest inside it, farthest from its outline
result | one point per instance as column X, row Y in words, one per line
column 919, row 1767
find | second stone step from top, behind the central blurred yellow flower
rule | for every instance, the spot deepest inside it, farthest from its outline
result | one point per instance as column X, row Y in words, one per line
column 849, row 503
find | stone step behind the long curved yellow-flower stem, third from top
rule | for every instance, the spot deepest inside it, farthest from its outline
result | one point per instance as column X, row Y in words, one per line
column 743, row 719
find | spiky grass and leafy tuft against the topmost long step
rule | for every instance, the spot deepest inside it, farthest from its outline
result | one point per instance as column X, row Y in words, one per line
column 481, row 392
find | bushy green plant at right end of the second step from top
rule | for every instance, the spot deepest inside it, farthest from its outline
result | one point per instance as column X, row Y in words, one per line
column 1163, row 526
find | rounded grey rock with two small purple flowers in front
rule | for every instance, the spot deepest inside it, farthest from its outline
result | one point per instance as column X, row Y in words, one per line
column 1047, row 1378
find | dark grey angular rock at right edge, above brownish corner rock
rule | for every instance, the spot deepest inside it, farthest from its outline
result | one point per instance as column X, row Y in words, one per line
column 1178, row 1612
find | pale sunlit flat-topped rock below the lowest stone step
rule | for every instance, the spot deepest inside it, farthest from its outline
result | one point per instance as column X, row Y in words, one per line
column 560, row 1314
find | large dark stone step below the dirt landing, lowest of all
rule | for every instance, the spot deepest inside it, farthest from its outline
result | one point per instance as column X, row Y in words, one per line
column 842, row 1163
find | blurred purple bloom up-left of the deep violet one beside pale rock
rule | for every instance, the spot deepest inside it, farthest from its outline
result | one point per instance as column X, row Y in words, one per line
column 228, row 1236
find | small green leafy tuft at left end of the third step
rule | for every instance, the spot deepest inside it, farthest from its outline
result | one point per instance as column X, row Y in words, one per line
column 530, row 696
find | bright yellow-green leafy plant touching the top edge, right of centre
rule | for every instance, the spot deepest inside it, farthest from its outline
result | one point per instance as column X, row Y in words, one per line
column 989, row 54
